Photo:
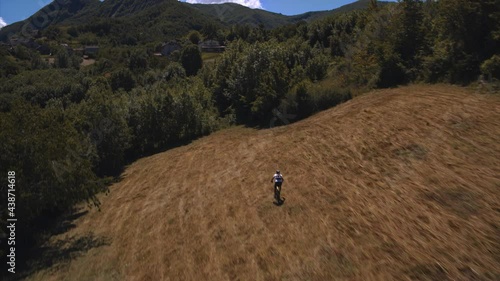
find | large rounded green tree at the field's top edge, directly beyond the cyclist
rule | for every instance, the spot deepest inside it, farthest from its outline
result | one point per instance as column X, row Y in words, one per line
column 251, row 79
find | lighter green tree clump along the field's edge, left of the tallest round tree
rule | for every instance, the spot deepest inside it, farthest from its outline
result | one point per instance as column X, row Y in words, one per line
column 167, row 115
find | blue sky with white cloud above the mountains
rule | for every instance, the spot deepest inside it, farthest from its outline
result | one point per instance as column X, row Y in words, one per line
column 17, row 10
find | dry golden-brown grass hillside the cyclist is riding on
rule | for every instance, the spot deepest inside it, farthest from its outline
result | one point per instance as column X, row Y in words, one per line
column 400, row 184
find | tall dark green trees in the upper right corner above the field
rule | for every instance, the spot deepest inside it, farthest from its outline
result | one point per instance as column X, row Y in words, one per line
column 464, row 38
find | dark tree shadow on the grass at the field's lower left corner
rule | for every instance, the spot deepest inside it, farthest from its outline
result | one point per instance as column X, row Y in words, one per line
column 47, row 254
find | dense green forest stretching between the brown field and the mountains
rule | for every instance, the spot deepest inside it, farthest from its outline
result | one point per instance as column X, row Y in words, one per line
column 68, row 129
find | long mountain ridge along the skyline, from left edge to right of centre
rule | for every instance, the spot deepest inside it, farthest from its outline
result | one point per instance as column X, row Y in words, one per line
column 79, row 12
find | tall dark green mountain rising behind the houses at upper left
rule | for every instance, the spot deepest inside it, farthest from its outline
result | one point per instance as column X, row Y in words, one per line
column 159, row 19
